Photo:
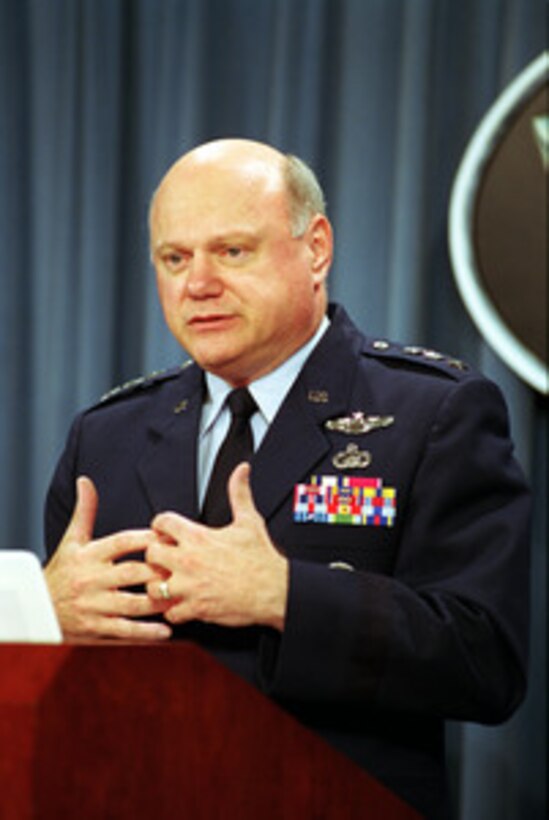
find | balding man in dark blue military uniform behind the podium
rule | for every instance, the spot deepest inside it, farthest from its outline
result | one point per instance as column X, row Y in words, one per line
column 370, row 570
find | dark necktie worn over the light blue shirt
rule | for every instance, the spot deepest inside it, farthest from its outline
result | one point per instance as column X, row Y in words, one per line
column 238, row 446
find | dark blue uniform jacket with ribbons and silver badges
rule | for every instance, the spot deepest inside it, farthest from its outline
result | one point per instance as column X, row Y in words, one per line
column 408, row 592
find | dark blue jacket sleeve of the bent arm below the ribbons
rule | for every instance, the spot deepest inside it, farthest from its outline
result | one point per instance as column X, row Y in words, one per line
column 447, row 633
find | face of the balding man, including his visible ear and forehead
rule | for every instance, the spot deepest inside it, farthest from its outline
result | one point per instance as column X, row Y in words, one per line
column 238, row 292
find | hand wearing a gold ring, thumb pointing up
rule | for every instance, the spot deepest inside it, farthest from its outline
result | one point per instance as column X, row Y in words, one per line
column 232, row 576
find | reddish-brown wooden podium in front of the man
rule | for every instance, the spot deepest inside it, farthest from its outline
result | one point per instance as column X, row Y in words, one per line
column 125, row 732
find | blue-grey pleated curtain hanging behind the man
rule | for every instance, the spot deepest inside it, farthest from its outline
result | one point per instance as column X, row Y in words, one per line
column 98, row 97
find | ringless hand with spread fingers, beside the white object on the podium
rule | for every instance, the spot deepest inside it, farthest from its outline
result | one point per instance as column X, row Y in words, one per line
column 89, row 588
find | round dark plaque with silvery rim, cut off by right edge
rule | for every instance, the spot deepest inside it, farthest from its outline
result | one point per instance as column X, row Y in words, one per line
column 498, row 225
